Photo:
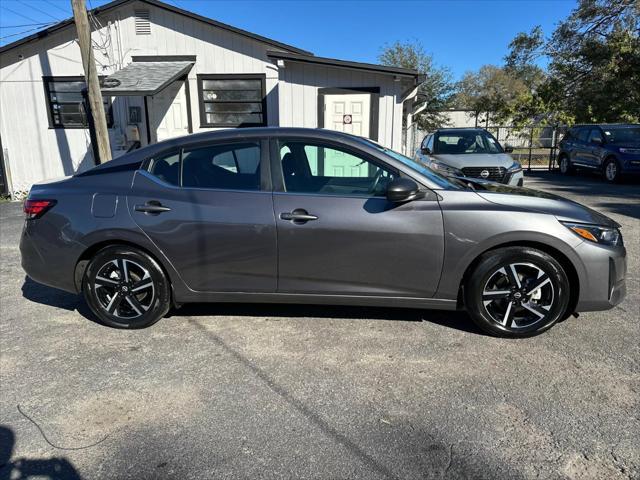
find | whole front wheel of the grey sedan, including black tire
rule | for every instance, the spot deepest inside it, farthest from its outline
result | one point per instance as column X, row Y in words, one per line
column 504, row 306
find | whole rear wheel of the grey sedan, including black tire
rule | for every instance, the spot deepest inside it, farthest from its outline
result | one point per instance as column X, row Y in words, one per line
column 141, row 289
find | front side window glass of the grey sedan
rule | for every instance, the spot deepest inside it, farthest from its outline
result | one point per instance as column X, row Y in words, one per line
column 310, row 167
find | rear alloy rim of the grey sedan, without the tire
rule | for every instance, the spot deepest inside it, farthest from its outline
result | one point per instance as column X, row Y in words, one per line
column 124, row 288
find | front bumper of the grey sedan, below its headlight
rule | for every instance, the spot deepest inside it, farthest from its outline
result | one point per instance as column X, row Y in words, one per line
column 603, row 284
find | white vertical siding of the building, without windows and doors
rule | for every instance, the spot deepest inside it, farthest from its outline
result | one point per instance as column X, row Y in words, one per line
column 35, row 151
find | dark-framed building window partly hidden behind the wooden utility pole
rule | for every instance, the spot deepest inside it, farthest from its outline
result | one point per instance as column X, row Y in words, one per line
column 67, row 102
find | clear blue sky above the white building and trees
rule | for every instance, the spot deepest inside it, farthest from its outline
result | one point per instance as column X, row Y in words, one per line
column 462, row 35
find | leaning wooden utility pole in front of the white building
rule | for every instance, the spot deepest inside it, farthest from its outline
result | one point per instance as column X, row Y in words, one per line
column 93, row 83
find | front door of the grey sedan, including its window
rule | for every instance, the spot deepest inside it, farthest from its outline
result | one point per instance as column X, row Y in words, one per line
column 338, row 234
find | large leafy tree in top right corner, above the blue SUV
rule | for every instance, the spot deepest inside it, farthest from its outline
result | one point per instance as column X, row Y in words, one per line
column 593, row 64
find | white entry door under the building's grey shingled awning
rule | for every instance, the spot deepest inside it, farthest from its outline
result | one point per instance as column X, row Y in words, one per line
column 169, row 112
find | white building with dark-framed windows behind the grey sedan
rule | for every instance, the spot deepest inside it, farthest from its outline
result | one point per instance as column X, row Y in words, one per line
column 169, row 72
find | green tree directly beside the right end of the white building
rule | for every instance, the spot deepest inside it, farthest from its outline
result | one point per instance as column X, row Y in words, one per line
column 437, row 88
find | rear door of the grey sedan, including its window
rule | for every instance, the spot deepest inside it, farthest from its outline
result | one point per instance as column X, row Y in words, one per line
column 208, row 208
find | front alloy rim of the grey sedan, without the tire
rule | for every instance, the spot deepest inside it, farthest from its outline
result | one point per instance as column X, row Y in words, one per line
column 518, row 295
